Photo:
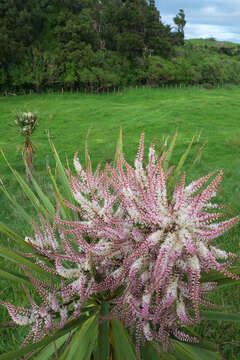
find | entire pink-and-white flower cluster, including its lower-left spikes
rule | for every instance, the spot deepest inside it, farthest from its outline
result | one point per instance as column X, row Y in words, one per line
column 137, row 243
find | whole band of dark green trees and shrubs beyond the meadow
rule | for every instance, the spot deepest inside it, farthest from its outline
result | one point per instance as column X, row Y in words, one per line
column 103, row 44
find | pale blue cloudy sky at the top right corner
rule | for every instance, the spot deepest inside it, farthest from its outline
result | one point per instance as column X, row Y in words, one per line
column 205, row 18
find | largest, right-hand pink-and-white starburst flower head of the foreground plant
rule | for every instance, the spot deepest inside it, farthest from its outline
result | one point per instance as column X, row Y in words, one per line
column 177, row 231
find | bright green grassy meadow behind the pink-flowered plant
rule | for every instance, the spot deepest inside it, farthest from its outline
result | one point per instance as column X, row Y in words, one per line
column 212, row 115
